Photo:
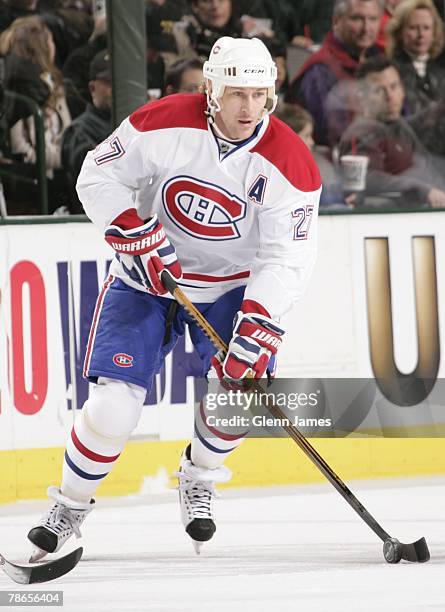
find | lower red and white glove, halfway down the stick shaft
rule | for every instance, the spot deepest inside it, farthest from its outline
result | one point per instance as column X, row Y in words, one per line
column 252, row 349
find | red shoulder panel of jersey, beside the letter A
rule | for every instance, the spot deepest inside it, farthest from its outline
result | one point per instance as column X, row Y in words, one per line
column 288, row 153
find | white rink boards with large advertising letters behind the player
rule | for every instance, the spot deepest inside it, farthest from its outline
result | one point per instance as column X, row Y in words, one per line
column 327, row 332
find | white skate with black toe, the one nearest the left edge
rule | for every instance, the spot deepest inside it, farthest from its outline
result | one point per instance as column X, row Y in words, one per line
column 62, row 520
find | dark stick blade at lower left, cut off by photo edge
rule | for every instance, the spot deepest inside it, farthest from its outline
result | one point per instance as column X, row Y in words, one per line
column 33, row 574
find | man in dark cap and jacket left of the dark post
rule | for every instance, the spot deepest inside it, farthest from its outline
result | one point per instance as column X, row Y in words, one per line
column 90, row 128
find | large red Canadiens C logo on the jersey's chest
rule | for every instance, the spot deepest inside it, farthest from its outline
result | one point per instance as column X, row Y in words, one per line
column 202, row 209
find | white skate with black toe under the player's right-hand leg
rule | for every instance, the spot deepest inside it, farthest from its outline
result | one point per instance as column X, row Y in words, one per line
column 196, row 493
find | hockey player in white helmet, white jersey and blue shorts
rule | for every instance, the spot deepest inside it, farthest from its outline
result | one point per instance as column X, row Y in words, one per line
column 224, row 196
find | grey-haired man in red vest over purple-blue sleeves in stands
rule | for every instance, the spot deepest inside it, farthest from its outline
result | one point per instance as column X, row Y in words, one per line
column 325, row 83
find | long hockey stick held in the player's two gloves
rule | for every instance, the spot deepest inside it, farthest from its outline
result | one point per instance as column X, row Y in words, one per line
column 393, row 550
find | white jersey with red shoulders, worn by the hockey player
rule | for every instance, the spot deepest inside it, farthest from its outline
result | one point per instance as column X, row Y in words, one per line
column 245, row 217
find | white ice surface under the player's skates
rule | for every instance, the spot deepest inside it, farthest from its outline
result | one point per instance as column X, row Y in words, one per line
column 296, row 548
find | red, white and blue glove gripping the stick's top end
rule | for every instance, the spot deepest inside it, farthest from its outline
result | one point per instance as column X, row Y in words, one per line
column 143, row 250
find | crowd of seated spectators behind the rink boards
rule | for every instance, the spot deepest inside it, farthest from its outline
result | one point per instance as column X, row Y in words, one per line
column 371, row 82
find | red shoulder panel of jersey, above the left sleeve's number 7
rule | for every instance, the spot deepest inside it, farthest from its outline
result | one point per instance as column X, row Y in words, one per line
column 177, row 110
